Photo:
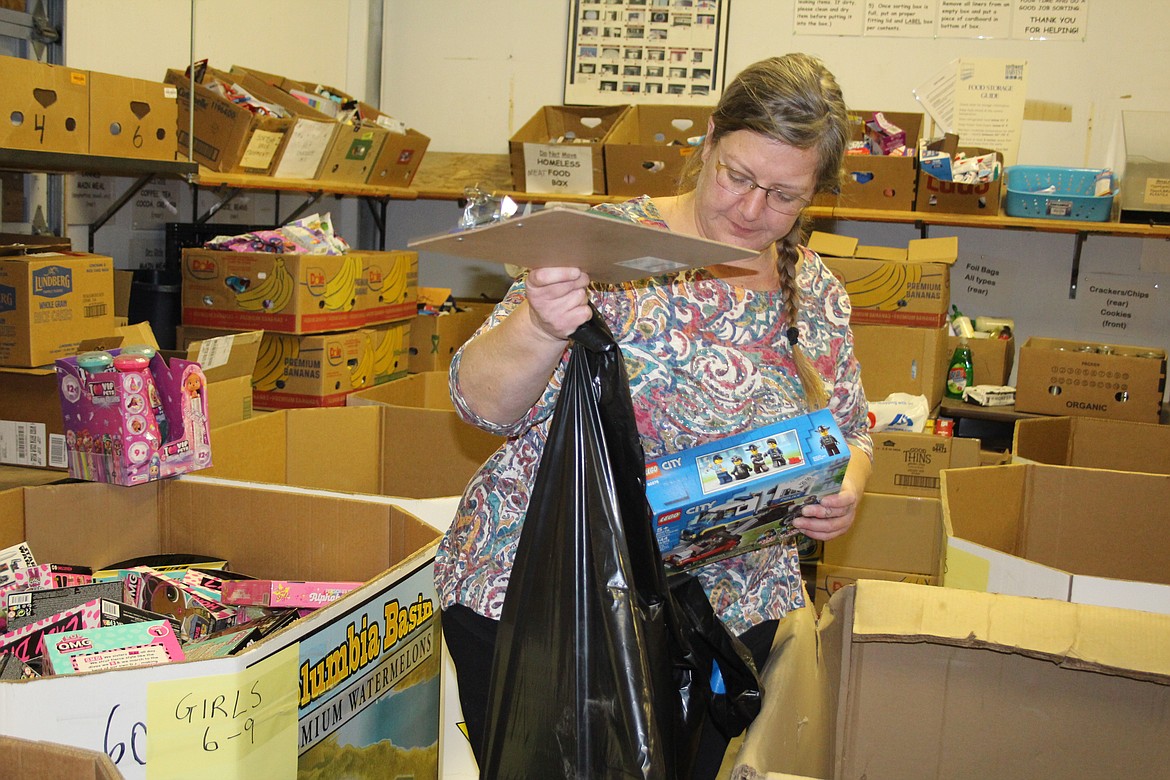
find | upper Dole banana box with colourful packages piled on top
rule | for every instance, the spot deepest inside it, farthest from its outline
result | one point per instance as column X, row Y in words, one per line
column 298, row 294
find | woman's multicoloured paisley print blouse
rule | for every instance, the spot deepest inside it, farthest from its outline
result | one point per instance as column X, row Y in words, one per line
column 706, row 361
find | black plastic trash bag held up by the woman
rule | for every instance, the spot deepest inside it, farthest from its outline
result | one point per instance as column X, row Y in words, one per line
column 597, row 674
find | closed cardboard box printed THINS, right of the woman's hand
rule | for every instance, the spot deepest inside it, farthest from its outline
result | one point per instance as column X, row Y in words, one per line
column 909, row 464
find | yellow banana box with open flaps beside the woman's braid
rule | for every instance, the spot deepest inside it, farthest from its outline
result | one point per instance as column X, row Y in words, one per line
column 892, row 286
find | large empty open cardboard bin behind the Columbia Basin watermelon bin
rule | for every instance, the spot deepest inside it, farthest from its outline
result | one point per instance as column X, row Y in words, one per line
column 383, row 450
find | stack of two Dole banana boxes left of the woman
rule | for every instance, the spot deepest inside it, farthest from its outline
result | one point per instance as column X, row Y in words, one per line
column 333, row 323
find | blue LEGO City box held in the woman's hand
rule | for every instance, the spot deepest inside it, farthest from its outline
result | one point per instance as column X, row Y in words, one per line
column 742, row 493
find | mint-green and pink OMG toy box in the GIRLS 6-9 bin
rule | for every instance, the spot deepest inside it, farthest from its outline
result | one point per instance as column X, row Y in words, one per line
column 112, row 647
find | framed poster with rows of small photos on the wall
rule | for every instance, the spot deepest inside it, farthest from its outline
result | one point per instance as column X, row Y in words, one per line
column 648, row 52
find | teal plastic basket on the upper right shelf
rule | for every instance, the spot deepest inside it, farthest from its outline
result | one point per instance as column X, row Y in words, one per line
column 1071, row 197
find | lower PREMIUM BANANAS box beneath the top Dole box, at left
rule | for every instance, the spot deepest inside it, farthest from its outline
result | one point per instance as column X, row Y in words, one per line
column 312, row 371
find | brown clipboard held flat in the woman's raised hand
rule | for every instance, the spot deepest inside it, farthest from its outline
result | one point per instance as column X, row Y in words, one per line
column 608, row 249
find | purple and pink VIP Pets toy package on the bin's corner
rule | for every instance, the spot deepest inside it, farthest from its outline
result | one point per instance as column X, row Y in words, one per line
column 128, row 424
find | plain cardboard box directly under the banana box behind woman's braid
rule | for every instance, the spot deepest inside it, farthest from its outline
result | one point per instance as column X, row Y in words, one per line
column 903, row 361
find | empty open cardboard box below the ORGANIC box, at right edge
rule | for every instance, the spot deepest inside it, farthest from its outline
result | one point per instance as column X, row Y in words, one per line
column 1093, row 444
